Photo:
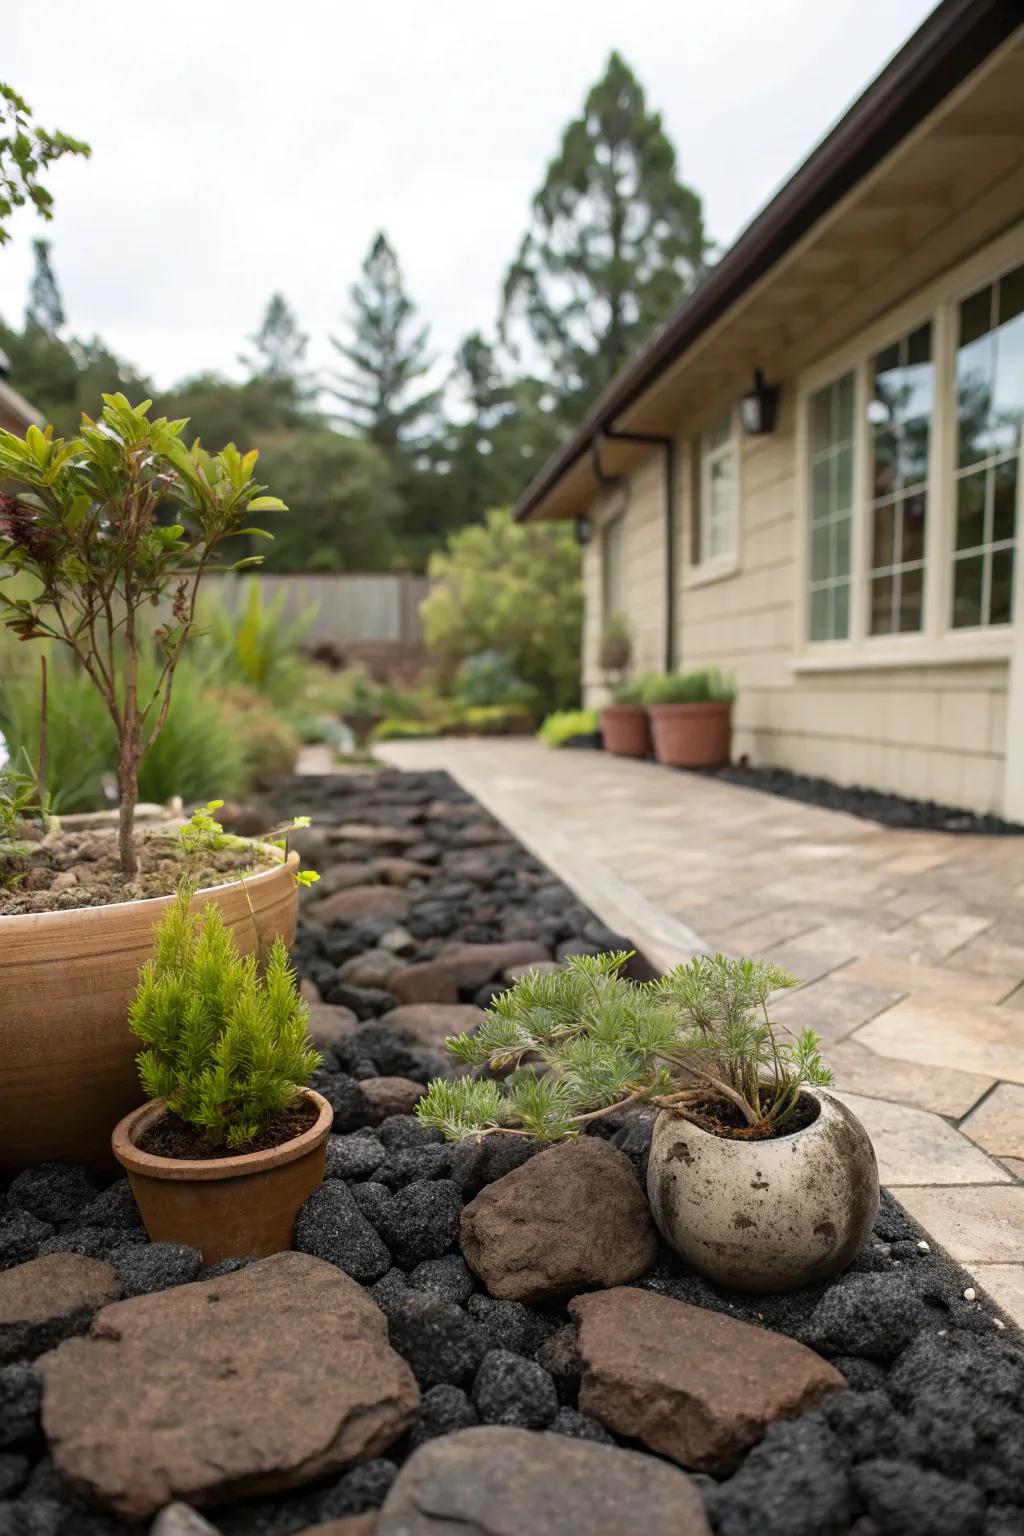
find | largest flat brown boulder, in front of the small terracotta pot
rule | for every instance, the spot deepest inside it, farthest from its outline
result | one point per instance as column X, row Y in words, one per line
column 266, row 1379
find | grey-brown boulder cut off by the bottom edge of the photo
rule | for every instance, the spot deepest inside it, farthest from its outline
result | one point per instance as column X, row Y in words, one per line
column 498, row 1481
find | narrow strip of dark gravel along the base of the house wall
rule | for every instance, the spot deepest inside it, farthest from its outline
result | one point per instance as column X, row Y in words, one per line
column 874, row 806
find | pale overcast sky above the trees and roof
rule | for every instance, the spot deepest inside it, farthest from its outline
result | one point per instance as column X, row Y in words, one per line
column 242, row 147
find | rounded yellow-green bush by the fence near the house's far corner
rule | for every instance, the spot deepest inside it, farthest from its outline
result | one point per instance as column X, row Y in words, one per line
column 517, row 589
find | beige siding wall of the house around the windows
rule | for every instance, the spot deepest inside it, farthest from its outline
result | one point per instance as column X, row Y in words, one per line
column 934, row 729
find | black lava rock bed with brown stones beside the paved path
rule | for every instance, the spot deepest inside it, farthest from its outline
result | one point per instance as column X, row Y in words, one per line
column 426, row 909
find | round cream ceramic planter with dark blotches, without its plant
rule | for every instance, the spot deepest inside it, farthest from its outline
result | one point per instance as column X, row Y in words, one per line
column 765, row 1216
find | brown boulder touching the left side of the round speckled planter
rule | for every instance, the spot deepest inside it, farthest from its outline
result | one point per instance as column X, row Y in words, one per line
column 569, row 1219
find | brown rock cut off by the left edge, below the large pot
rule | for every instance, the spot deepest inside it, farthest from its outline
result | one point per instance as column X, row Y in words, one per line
column 51, row 1299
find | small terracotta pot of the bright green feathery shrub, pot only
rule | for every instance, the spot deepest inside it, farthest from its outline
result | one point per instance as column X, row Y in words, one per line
column 228, row 1208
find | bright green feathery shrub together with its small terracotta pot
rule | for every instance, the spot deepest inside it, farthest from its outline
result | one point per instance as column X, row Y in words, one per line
column 233, row 1140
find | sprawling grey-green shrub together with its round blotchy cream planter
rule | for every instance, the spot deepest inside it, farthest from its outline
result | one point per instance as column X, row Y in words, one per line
column 758, row 1177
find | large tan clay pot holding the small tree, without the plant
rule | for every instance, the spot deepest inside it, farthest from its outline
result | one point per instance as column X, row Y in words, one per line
column 67, row 1054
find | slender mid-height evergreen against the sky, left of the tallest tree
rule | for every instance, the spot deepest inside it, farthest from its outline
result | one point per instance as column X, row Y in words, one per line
column 389, row 360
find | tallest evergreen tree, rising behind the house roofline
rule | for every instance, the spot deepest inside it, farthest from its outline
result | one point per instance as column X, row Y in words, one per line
column 615, row 240
